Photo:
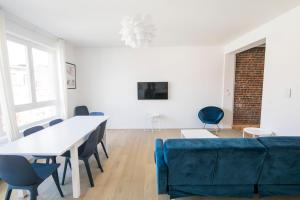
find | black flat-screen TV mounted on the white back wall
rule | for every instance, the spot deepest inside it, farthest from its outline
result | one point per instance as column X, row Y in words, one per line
column 152, row 90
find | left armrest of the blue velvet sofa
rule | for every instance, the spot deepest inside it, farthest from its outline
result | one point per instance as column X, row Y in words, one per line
column 161, row 168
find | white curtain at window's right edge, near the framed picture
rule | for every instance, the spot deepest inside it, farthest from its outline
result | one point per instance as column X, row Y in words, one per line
column 62, row 78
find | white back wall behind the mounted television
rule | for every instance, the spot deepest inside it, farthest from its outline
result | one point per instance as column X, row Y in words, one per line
column 108, row 79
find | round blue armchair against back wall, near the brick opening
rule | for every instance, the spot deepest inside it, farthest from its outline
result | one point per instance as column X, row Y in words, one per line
column 211, row 115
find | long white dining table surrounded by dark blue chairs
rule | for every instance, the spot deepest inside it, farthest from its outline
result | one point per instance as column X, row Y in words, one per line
column 55, row 140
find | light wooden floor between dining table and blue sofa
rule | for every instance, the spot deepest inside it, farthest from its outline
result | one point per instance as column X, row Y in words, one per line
column 129, row 173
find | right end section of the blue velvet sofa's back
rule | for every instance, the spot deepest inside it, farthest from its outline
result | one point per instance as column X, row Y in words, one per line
column 282, row 163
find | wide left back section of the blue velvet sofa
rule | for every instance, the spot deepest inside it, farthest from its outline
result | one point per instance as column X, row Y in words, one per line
column 219, row 161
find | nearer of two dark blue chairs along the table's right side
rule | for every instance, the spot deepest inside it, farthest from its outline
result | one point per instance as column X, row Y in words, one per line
column 85, row 151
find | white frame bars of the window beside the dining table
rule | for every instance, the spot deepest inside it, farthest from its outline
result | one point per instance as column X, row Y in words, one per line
column 30, row 45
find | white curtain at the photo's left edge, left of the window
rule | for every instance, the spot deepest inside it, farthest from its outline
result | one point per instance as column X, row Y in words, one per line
column 6, row 98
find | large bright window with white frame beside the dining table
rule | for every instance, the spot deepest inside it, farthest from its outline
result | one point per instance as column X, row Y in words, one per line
column 33, row 81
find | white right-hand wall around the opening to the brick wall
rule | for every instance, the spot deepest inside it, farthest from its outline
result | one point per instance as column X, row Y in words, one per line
column 282, row 69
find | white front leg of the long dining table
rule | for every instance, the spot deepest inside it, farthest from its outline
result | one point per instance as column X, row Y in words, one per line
column 75, row 171
